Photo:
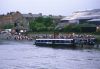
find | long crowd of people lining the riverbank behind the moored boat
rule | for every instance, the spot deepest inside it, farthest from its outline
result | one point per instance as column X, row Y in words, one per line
column 19, row 36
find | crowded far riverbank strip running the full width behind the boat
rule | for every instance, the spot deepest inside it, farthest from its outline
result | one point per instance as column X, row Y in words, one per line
column 35, row 35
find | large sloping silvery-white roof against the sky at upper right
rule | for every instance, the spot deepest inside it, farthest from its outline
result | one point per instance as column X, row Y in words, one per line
column 88, row 14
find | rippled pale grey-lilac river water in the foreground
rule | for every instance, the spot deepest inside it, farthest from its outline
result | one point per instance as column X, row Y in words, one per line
column 25, row 55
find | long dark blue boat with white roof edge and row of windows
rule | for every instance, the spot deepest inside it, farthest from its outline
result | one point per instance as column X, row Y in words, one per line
column 55, row 42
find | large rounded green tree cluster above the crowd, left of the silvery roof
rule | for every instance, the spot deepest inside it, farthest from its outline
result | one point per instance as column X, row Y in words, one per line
column 42, row 24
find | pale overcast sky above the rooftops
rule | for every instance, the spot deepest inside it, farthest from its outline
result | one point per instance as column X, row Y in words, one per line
column 55, row 7
